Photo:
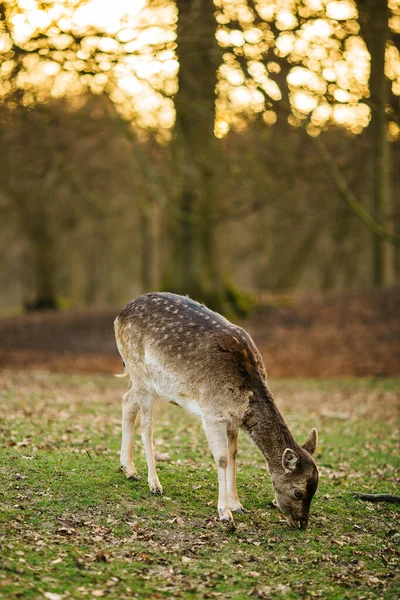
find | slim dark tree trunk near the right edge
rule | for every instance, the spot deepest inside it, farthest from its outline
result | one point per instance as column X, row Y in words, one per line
column 374, row 20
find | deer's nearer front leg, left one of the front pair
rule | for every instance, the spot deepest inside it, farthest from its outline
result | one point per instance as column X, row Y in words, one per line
column 216, row 433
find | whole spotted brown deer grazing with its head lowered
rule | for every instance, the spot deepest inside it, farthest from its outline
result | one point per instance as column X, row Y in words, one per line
column 181, row 351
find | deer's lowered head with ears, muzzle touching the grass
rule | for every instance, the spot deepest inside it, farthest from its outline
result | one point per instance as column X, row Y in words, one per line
column 296, row 482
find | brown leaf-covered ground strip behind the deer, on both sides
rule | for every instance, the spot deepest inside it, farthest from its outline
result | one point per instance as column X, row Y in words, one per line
column 335, row 335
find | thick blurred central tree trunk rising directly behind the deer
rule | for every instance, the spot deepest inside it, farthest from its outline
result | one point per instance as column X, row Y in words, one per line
column 194, row 268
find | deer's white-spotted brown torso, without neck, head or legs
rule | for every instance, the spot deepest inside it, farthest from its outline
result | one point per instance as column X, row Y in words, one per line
column 178, row 343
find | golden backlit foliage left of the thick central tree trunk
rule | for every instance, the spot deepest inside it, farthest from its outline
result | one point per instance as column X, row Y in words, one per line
column 63, row 49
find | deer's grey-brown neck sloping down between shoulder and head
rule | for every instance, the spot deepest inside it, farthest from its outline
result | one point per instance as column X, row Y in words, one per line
column 265, row 425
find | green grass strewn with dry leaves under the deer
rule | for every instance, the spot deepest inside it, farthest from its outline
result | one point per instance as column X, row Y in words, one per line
column 73, row 527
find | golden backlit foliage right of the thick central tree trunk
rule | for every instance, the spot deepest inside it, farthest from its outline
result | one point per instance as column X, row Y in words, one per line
column 310, row 57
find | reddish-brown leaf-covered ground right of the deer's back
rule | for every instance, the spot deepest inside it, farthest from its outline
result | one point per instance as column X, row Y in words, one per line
column 352, row 334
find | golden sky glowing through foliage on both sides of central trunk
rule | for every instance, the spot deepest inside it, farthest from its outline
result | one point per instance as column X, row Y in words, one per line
column 137, row 66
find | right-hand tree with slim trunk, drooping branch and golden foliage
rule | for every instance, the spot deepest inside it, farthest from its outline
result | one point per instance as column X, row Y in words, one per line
column 286, row 54
